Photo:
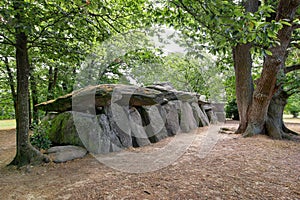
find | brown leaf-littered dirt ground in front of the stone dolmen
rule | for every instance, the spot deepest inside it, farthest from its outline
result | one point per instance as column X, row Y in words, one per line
column 236, row 168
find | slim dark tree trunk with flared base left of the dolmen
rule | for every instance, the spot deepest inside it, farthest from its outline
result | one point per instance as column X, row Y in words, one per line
column 26, row 154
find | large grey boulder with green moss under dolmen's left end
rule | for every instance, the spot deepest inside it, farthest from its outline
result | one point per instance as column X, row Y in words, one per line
column 85, row 130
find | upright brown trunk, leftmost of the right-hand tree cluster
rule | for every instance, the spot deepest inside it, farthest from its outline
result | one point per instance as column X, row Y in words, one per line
column 243, row 74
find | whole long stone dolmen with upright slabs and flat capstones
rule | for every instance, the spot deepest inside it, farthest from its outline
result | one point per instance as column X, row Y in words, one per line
column 111, row 117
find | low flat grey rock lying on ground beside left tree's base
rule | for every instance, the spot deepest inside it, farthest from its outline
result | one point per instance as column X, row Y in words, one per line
column 61, row 154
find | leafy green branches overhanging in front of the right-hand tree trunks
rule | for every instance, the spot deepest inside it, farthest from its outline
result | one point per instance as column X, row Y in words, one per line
column 220, row 24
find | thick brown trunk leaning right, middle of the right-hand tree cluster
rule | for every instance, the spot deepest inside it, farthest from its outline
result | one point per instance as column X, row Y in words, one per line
column 259, row 122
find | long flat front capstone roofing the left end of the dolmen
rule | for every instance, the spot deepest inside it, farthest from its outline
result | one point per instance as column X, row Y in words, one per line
column 86, row 99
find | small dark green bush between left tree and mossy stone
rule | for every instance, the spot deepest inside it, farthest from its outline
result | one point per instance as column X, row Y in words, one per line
column 40, row 138
